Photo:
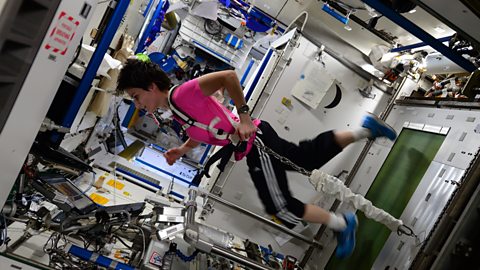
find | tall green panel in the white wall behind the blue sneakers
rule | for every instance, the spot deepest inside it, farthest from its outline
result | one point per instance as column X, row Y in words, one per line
column 391, row 190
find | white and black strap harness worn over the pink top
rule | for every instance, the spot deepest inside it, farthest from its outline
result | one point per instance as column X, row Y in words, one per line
column 224, row 153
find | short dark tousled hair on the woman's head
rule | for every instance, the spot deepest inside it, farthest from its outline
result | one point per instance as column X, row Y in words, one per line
column 140, row 74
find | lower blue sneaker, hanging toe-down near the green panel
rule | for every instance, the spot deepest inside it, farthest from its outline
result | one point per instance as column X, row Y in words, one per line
column 346, row 238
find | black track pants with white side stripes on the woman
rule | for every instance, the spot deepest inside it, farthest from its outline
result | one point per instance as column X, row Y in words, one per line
column 269, row 176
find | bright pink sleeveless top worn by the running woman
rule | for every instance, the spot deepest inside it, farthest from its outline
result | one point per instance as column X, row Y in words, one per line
column 191, row 100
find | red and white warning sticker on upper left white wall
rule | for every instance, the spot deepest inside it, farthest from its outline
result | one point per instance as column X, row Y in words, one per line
column 62, row 34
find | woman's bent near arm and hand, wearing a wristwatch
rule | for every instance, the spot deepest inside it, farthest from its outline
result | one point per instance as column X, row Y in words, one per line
column 228, row 79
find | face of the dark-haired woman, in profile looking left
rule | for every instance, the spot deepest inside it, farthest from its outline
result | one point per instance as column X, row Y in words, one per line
column 149, row 99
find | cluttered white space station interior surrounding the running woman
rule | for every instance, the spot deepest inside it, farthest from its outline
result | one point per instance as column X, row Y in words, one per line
column 86, row 184
